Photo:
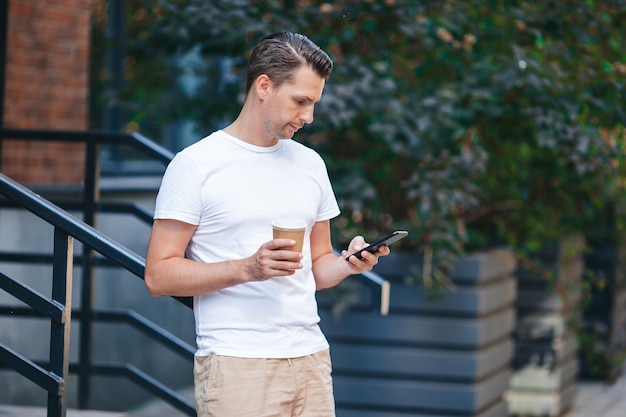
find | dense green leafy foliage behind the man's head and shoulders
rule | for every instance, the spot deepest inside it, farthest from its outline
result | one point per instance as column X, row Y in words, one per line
column 469, row 123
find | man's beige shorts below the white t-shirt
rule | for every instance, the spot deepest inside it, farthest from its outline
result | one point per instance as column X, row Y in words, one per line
column 226, row 386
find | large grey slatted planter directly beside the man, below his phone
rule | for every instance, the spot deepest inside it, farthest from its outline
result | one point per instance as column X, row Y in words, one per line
column 446, row 356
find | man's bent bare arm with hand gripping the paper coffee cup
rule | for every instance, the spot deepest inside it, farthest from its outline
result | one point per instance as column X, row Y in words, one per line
column 168, row 272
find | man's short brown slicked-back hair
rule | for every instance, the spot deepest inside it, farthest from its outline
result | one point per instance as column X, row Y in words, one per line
column 279, row 55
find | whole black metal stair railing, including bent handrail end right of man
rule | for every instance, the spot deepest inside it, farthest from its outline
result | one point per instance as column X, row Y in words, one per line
column 98, row 250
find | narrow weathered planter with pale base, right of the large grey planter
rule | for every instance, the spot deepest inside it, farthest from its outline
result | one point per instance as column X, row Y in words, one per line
column 546, row 361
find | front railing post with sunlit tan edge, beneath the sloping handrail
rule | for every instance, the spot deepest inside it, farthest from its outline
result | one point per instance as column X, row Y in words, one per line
column 60, row 331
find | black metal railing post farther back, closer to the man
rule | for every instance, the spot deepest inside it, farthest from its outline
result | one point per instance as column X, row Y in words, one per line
column 91, row 196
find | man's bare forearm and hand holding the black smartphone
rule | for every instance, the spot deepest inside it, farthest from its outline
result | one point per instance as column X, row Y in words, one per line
column 330, row 269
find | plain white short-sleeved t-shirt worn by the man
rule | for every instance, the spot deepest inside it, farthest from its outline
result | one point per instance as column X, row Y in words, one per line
column 232, row 190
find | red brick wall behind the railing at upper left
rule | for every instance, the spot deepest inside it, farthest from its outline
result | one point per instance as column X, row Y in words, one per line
column 46, row 87
